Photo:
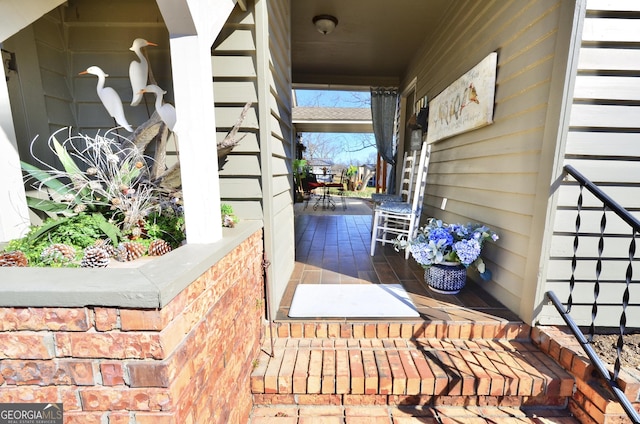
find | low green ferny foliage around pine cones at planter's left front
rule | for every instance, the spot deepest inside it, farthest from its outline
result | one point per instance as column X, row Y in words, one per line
column 79, row 231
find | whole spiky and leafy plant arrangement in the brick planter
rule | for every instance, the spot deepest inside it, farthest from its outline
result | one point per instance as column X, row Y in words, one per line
column 102, row 191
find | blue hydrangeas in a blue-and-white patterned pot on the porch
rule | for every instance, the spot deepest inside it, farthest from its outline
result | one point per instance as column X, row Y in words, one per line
column 445, row 251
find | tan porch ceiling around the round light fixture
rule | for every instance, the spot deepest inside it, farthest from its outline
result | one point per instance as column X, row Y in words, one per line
column 372, row 44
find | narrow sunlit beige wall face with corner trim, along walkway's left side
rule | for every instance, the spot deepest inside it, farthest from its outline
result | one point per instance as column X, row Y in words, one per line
column 275, row 106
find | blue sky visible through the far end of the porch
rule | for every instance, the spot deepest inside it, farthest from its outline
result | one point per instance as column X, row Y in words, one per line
column 342, row 148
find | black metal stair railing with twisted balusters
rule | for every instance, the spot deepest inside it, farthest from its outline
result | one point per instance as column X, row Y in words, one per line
column 608, row 204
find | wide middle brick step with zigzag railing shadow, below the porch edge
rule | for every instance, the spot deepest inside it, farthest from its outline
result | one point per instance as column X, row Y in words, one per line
column 401, row 371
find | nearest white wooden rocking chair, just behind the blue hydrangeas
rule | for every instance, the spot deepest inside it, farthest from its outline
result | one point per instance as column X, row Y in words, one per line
column 393, row 219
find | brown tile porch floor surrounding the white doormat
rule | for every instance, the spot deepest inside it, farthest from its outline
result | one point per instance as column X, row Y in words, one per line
column 334, row 249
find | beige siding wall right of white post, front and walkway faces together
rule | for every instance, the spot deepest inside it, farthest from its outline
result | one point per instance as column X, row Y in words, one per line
column 251, row 63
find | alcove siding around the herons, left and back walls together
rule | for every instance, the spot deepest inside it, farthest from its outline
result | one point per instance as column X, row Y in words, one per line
column 68, row 40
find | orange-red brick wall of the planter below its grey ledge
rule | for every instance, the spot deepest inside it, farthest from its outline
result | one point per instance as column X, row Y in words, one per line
column 188, row 362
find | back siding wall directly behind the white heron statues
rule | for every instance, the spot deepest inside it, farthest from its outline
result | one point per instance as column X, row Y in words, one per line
column 100, row 34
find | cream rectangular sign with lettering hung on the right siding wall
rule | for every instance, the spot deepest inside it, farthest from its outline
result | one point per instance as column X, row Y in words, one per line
column 465, row 105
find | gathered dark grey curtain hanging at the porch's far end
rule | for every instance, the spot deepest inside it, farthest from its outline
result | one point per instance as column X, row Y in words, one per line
column 384, row 102
